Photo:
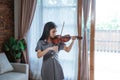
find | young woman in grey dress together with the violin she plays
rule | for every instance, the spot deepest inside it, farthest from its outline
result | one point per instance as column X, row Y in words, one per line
column 48, row 46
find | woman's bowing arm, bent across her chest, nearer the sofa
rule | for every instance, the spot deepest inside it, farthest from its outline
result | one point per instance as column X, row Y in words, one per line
column 42, row 53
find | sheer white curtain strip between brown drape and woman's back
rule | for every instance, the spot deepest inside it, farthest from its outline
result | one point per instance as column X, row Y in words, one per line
column 32, row 37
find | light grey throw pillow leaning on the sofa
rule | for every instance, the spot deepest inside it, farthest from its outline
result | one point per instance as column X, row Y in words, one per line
column 5, row 65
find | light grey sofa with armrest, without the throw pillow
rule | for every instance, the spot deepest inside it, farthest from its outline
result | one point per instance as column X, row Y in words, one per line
column 19, row 72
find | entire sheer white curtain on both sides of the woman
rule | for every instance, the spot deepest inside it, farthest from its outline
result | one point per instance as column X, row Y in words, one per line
column 58, row 11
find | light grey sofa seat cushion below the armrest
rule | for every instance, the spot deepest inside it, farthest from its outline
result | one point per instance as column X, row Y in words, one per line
column 13, row 76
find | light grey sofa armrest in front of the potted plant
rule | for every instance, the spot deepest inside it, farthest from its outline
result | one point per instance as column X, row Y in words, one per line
column 20, row 67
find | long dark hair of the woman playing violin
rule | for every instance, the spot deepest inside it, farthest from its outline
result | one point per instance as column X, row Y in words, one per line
column 46, row 31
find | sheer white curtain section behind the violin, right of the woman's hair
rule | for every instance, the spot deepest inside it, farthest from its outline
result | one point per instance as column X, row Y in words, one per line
column 59, row 11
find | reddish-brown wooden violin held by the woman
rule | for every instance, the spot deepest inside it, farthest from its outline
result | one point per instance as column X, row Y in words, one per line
column 58, row 38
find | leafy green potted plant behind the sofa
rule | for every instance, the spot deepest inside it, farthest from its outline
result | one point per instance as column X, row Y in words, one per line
column 14, row 49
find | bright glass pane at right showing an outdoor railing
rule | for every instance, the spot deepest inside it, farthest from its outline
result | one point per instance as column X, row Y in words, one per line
column 107, row 40
